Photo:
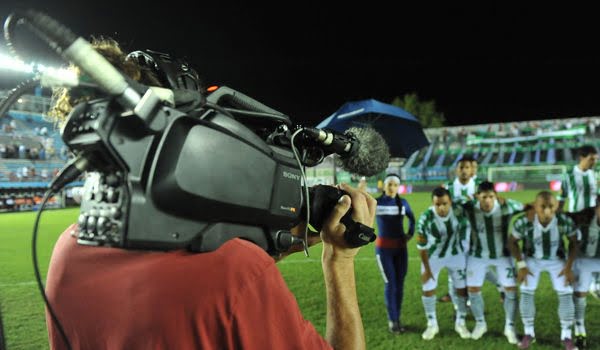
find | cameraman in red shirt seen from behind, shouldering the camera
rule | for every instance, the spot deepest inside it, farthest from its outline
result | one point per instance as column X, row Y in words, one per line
column 230, row 298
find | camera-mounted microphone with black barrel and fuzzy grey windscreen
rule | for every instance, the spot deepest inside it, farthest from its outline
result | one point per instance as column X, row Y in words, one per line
column 363, row 151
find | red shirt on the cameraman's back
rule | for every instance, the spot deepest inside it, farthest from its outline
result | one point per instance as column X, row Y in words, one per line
column 232, row 298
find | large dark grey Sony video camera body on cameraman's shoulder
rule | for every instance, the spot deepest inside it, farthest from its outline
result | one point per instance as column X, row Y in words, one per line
column 181, row 180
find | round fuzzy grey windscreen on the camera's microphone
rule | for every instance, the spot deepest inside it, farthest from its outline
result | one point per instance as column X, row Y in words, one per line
column 372, row 155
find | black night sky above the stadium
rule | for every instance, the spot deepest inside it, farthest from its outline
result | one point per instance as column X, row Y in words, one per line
column 486, row 63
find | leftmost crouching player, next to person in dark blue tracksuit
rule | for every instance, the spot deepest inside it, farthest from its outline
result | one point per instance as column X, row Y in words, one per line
column 443, row 242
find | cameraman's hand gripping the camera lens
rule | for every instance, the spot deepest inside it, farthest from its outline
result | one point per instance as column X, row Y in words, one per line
column 332, row 232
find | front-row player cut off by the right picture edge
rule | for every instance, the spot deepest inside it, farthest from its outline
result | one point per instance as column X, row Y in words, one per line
column 587, row 263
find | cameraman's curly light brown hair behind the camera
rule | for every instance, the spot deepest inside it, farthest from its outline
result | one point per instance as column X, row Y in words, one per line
column 63, row 102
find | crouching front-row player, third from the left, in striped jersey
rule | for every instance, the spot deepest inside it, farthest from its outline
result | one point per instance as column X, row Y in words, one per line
column 542, row 234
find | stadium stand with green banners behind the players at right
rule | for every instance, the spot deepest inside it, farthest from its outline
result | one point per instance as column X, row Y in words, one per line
column 501, row 145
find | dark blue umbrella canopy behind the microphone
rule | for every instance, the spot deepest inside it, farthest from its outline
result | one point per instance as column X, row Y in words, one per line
column 401, row 130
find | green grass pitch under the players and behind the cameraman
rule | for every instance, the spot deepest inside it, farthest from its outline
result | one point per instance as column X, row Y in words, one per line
column 25, row 328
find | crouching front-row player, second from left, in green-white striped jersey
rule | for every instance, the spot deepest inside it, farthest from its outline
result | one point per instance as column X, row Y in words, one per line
column 489, row 219
